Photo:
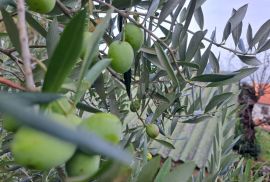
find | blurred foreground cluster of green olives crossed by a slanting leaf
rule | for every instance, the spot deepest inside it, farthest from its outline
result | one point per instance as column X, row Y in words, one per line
column 38, row 150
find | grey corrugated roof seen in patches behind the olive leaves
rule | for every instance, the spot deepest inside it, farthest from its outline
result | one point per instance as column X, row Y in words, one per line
column 193, row 142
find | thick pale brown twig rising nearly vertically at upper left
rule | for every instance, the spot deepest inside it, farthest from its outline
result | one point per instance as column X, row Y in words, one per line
column 26, row 56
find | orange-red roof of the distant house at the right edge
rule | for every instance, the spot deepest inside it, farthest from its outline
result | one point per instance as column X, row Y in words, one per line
column 265, row 93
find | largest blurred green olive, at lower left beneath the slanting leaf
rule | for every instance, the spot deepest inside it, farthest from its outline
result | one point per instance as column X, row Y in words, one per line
column 38, row 150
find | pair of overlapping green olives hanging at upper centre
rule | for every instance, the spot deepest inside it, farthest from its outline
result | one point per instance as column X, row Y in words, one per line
column 122, row 52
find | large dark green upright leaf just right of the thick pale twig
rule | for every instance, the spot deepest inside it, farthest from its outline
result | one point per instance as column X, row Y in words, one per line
column 66, row 54
